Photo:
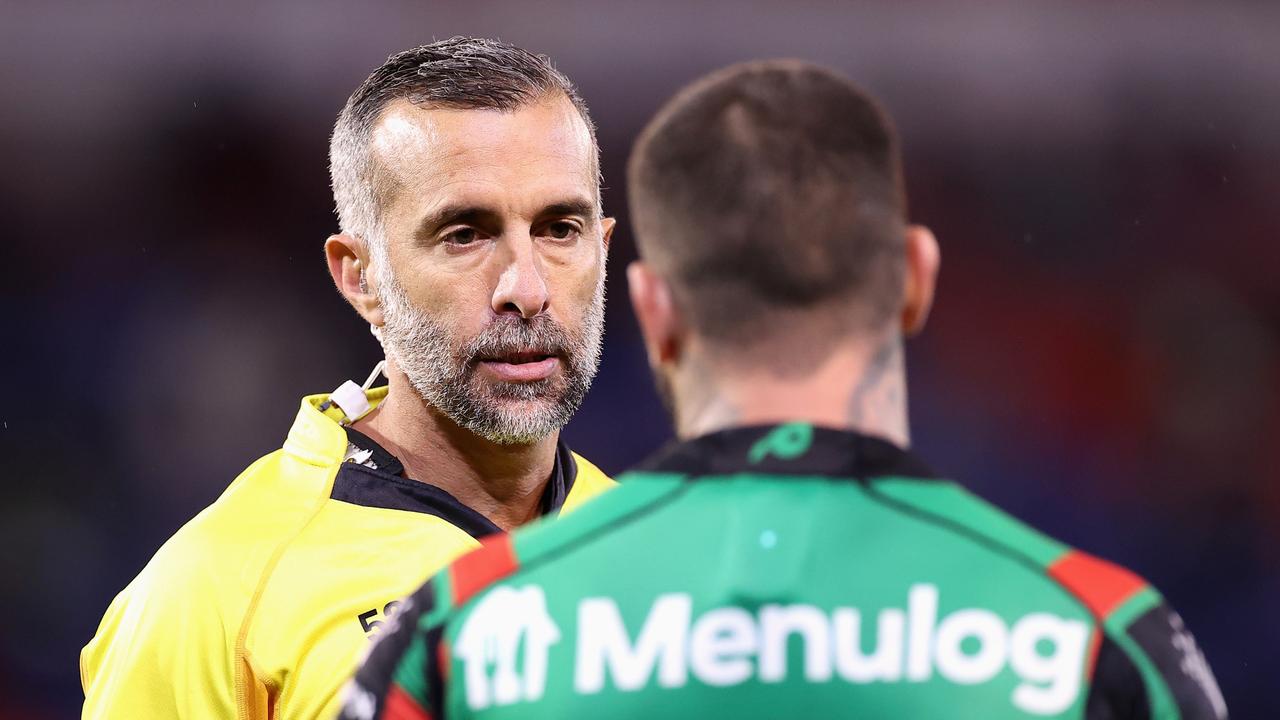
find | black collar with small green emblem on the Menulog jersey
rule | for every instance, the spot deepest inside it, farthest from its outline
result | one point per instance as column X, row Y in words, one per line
column 792, row 449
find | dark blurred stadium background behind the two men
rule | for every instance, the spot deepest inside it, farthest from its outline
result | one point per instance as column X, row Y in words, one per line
column 1104, row 359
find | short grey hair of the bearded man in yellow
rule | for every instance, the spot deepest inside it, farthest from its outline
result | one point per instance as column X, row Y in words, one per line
column 461, row 74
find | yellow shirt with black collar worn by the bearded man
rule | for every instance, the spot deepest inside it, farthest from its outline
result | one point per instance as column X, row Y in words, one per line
column 262, row 605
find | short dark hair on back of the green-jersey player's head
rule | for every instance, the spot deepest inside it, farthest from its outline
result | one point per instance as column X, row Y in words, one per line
column 771, row 186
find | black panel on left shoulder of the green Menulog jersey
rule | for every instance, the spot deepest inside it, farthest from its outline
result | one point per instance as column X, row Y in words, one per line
column 367, row 696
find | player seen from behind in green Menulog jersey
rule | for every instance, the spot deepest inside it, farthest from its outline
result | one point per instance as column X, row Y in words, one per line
column 788, row 558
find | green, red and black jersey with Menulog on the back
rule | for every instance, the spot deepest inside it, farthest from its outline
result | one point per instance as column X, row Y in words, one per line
column 784, row 572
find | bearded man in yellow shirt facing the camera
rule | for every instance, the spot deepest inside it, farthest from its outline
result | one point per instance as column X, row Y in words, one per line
column 467, row 179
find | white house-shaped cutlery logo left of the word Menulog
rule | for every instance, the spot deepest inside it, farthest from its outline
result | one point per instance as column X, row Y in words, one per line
column 504, row 648
